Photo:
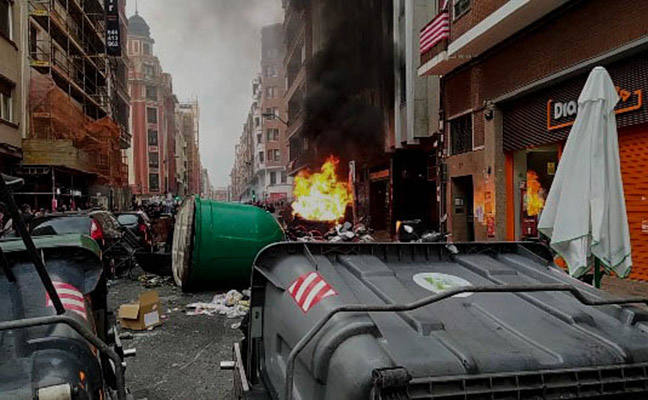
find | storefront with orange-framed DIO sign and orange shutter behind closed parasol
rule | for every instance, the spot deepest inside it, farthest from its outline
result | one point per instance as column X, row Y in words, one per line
column 535, row 129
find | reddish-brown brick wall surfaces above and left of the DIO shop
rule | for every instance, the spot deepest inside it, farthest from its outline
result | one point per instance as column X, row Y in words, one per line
column 573, row 35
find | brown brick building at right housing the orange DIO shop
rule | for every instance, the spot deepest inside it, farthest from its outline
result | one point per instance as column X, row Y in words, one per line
column 511, row 75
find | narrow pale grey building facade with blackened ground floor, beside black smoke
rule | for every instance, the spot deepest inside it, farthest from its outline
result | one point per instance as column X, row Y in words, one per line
column 411, row 179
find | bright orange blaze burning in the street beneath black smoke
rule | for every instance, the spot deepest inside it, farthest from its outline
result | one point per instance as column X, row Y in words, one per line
column 320, row 196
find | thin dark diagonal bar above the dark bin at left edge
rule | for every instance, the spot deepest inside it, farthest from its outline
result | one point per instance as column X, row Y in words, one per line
column 39, row 264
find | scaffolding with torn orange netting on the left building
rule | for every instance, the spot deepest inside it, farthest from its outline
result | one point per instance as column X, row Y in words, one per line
column 78, row 104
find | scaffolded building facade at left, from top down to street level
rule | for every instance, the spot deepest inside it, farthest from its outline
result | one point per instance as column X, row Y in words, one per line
column 77, row 105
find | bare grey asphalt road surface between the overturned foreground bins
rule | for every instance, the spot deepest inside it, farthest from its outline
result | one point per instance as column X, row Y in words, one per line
column 180, row 359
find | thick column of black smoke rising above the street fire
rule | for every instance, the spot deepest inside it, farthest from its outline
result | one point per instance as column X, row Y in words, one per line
column 351, row 80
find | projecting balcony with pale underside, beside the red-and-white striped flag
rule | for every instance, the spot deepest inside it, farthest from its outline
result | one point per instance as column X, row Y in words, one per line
column 510, row 18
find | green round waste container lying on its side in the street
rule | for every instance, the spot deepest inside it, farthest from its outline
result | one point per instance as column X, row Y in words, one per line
column 214, row 244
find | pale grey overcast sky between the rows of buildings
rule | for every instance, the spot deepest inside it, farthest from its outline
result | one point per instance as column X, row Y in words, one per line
column 212, row 48
